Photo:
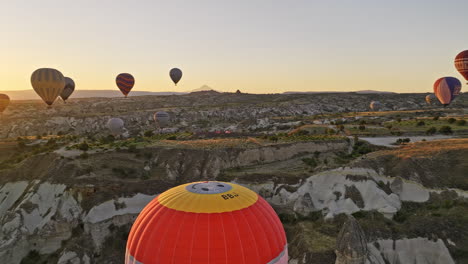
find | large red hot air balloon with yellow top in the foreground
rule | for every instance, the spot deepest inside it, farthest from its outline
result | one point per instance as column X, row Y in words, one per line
column 207, row 222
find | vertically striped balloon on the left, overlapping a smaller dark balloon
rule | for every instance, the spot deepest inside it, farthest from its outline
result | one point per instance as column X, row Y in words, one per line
column 48, row 84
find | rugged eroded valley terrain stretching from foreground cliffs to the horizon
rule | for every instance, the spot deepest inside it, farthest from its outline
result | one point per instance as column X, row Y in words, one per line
column 69, row 192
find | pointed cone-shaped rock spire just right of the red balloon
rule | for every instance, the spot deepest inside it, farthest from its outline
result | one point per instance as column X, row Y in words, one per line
column 351, row 244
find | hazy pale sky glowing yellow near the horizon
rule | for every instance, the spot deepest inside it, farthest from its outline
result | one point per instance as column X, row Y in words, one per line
column 256, row 46
